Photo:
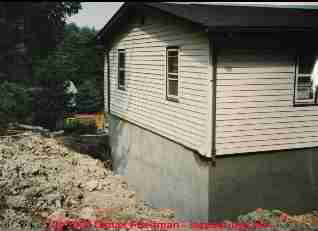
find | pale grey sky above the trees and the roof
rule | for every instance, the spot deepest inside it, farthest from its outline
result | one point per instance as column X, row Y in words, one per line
column 97, row 14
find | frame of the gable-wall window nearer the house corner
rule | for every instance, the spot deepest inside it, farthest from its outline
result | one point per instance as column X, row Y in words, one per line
column 174, row 98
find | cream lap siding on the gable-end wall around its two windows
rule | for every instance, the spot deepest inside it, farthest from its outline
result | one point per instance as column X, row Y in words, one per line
column 144, row 100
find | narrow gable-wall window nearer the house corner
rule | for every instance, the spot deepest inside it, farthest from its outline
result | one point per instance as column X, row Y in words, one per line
column 172, row 73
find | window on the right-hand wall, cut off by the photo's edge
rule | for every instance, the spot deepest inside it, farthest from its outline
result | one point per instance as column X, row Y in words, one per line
column 306, row 79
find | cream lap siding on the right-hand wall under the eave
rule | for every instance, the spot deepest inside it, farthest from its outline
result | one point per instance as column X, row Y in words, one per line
column 255, row 109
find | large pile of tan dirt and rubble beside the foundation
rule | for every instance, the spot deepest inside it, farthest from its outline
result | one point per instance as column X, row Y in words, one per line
column 42, row 181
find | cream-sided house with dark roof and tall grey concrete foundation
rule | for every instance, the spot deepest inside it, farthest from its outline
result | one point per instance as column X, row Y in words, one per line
column 213, row 109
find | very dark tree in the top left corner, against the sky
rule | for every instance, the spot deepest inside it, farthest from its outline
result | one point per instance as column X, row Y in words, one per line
column 30, row 30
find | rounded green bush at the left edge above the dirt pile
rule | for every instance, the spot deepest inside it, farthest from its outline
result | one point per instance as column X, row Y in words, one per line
column 15, row 104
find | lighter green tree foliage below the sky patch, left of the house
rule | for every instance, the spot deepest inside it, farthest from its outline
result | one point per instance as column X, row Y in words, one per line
column 76, row 58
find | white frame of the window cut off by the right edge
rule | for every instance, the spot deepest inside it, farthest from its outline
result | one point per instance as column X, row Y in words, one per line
column 297, row 102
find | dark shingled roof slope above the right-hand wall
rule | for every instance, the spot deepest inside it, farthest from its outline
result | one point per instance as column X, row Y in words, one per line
column 241, row 16
